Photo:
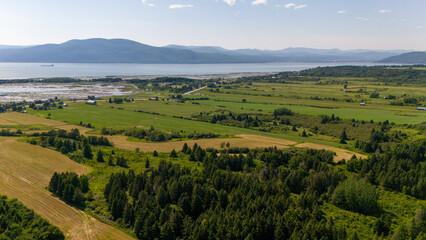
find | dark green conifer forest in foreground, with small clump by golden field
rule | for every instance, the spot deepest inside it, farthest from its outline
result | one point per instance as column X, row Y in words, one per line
column 262, row 194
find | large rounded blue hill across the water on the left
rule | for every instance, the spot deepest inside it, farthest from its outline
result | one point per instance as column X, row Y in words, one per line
column 113, row 51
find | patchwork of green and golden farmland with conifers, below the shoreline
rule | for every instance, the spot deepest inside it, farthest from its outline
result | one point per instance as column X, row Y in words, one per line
column 293, row 142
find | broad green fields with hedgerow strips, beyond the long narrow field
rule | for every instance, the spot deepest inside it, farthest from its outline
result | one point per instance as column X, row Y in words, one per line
column 267, row 97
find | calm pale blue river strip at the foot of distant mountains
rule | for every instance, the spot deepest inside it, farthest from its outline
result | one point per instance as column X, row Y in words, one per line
column 36, row 70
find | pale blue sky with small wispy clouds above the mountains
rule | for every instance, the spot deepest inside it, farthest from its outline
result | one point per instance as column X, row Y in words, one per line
column 233, row 24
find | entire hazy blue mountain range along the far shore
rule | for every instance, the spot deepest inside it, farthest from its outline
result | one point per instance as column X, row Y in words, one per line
column 99, row 50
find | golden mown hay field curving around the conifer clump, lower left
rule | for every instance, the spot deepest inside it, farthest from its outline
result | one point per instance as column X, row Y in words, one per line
column 25, row 171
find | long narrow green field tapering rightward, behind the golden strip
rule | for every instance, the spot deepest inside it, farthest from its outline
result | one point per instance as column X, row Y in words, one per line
column 102, row 116
